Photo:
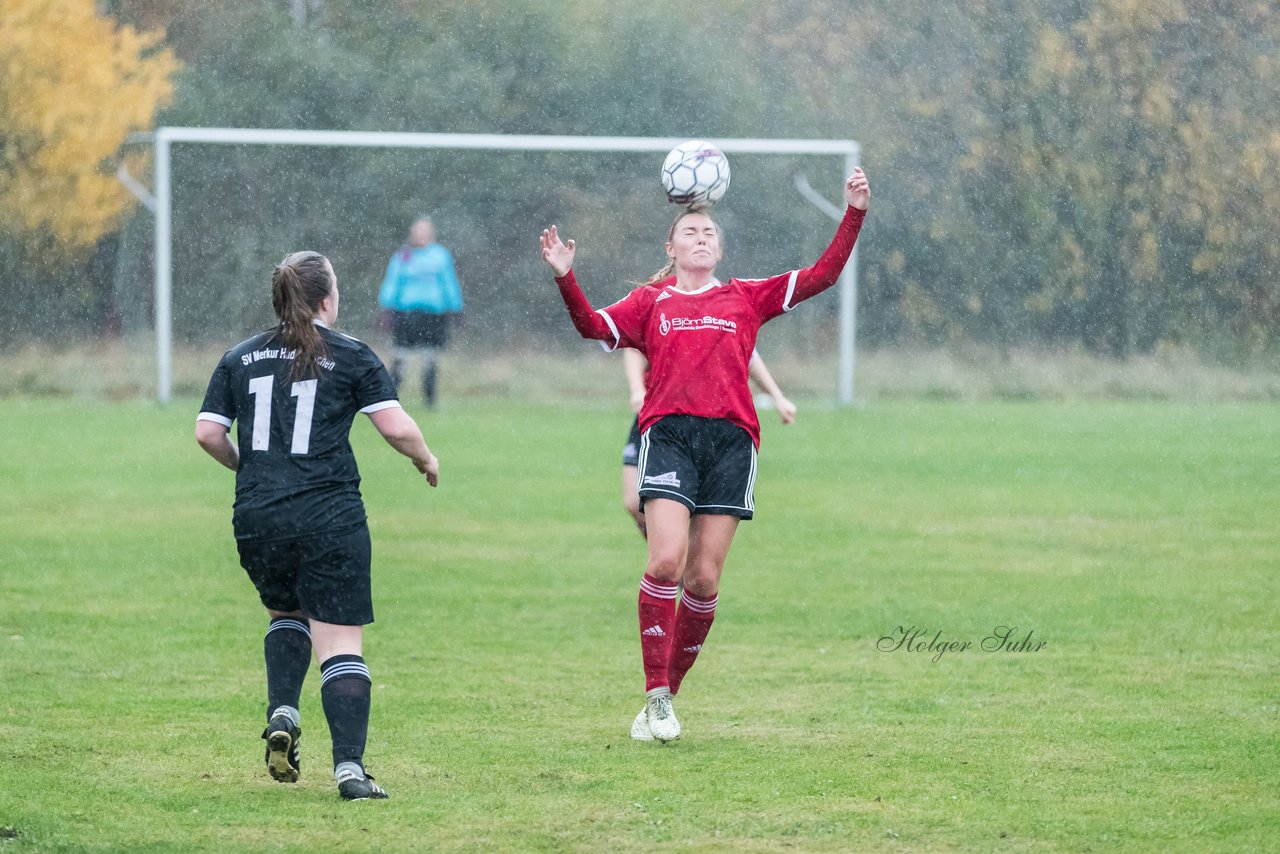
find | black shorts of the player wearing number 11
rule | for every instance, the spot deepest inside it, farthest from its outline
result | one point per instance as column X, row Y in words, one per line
column 326, row 576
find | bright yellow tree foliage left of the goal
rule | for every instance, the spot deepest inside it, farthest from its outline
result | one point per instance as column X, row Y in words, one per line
column 72, row 88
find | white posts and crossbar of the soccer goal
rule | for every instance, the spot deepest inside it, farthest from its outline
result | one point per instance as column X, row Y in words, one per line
column 166, row 138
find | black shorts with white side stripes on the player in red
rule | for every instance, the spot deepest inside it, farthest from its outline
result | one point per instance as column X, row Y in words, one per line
column 706, row 464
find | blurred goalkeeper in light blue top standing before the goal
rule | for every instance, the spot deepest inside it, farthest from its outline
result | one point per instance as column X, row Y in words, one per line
column 423, row 298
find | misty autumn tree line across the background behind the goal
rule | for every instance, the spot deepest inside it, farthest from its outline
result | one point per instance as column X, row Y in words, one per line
column 1092, row 173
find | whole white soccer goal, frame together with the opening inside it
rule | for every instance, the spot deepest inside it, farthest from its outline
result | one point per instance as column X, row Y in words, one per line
column 231, row 203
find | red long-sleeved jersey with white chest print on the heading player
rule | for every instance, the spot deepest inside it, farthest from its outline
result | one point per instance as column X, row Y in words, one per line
column 700, row 342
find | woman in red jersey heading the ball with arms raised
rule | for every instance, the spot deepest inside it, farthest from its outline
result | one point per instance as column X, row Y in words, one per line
column 700, row 431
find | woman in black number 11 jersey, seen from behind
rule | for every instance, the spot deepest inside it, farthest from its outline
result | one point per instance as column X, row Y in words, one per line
column 294, row 392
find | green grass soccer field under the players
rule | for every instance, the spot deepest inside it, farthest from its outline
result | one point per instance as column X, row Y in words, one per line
column 1140, row 542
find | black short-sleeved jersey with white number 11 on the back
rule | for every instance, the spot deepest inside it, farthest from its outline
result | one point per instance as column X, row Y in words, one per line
column 298, row 474
